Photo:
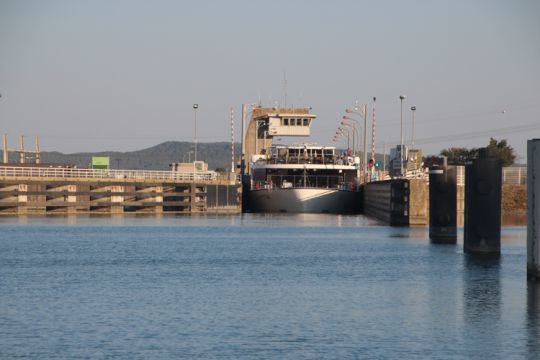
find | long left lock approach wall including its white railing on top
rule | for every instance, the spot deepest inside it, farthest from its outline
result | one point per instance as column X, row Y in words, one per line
column 57, row 190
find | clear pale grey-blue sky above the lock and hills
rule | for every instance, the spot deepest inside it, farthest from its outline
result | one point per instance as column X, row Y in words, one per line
column 124, row 74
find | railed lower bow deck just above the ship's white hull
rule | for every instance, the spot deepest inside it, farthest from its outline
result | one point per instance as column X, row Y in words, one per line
column 301, row 181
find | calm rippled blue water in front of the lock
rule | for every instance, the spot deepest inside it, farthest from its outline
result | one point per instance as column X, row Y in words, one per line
column 257, row 286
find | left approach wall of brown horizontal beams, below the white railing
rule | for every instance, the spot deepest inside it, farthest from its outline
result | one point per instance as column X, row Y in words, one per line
column 44, row 196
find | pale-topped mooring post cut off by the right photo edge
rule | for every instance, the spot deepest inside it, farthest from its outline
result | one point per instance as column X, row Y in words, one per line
column 533, row 209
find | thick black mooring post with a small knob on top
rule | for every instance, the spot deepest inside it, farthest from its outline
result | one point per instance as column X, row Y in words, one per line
column 482, row 226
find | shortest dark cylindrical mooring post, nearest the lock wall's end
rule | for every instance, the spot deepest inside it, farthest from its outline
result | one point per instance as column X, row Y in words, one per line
column 442, row 205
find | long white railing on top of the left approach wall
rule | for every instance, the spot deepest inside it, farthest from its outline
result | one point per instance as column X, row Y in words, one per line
column 50, row 172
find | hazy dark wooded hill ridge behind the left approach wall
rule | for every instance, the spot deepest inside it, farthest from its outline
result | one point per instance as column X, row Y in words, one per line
column 217, row 155
